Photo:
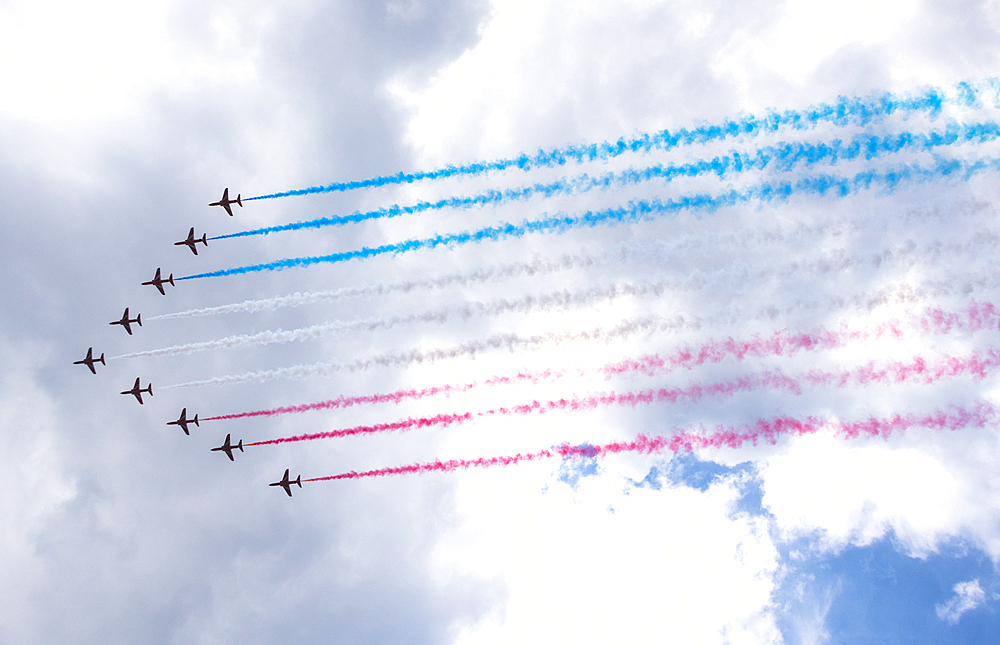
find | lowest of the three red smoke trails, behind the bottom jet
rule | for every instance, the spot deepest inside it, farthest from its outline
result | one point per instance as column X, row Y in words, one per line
column 769, row 431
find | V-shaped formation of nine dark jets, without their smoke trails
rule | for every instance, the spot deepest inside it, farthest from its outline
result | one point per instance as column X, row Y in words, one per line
column 137, row 390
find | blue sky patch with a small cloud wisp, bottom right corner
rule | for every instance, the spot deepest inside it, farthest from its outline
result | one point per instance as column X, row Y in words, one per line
column 878, row 594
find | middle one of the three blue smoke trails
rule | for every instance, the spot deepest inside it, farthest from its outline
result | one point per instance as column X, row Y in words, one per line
column 783, row 157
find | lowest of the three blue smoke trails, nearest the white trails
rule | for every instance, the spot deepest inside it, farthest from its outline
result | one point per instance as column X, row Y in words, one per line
column 644, row 210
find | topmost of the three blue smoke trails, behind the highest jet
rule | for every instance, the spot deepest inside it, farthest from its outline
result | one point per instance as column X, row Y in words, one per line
column 859, row 110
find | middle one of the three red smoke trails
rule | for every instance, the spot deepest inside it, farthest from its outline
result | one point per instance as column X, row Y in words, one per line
column 916, row 371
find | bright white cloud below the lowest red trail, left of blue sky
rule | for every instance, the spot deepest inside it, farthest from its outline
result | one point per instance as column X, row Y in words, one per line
column 610, row 563
